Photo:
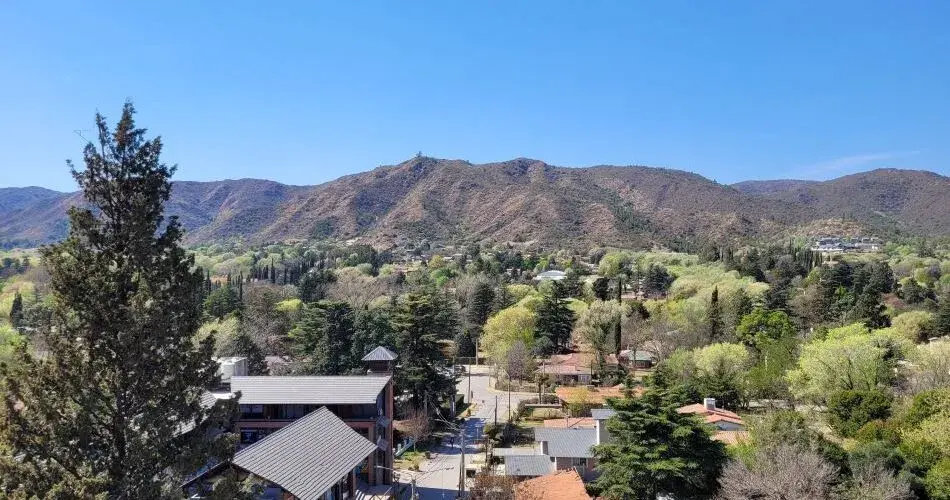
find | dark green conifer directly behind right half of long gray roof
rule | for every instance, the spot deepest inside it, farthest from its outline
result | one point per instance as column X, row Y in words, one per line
column 321, row 338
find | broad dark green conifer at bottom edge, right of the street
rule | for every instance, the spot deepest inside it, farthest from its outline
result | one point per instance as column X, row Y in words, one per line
column 655, row 450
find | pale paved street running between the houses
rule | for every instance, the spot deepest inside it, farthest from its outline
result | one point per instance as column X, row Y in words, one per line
column 439, row 476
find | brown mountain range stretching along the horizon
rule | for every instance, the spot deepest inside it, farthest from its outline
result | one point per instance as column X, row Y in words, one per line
column 524, row 200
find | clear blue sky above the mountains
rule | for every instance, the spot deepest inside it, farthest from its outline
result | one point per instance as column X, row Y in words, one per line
column 305, row 92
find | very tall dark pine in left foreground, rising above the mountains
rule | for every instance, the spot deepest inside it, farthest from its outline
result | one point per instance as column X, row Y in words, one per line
column 99, row 416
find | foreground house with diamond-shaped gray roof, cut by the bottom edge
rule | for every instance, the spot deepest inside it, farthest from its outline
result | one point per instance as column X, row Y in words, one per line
column 317, row 457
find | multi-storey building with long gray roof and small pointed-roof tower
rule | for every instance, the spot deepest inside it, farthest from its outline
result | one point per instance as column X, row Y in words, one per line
column 363, row 402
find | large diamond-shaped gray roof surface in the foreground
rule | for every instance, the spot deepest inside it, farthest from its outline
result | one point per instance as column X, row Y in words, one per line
column 308, row 456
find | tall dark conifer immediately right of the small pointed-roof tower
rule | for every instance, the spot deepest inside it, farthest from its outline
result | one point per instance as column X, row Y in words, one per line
column 423, row 367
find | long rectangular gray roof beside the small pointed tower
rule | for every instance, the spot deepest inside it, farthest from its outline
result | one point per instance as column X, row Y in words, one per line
column 357, row 389
